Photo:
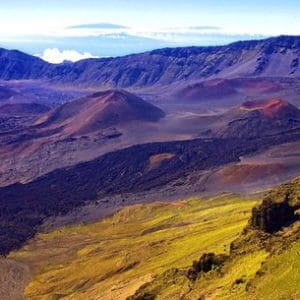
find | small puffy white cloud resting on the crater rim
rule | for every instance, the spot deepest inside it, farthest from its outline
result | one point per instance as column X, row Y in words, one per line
column 55, row 56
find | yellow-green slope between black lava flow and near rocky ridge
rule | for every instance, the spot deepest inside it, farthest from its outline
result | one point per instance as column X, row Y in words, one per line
column 112, row 258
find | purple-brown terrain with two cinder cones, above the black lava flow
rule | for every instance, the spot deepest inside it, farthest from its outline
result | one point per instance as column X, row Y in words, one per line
column 85, row 128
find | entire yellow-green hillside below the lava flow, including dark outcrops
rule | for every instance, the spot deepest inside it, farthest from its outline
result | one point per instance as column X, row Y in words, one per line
column 190, row 249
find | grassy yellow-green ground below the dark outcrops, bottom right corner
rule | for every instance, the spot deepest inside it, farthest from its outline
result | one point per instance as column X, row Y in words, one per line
column 266, row 269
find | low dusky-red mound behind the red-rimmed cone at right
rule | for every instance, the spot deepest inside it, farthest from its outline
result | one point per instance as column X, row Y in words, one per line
column 226, row 92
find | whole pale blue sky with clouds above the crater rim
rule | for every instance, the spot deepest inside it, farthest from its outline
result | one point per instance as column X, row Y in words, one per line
column 60, row 30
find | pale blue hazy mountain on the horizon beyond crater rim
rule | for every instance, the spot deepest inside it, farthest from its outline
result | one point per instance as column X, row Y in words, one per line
column 121, row 42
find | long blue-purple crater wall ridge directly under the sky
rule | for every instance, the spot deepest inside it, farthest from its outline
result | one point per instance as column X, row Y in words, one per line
column 278, row 56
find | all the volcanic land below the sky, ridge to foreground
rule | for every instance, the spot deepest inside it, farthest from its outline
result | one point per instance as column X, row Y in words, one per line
column 152, row 175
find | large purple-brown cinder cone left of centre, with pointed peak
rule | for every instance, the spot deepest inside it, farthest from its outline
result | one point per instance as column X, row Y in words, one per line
column 99, row 111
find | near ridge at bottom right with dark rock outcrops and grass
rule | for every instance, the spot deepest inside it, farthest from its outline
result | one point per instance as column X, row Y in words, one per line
column 260, row 264
